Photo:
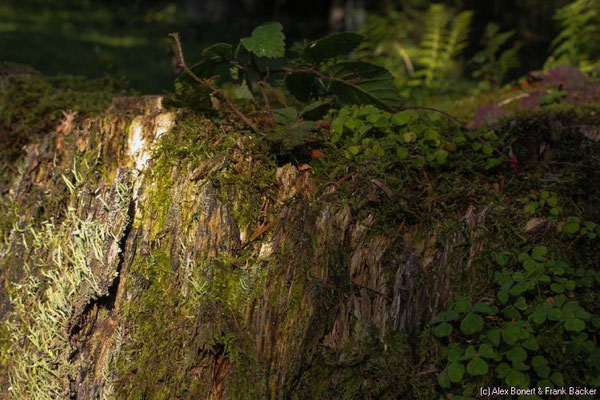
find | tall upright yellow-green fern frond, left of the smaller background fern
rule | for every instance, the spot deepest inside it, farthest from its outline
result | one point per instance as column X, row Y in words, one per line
column 445, row 38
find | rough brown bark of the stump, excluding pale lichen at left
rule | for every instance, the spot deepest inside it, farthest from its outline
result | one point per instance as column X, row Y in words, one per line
column 308, row 276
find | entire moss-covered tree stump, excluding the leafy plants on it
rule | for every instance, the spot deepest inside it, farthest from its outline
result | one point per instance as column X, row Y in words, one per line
column 153, row 254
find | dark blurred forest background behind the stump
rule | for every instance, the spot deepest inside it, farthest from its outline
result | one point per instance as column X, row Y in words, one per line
column 127, row 40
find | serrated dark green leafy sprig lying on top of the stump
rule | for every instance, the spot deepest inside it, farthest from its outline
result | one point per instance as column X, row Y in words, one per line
column 313, row 73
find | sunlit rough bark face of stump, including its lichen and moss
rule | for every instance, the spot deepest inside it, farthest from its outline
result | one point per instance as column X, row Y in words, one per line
column 208, row 275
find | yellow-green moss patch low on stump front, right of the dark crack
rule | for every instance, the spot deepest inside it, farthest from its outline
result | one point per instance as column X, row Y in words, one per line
column 176, row 336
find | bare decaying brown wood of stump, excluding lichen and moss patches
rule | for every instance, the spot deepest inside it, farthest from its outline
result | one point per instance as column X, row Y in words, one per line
column 380, row 289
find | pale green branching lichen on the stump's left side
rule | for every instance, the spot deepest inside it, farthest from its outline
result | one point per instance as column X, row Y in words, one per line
column 43, row 307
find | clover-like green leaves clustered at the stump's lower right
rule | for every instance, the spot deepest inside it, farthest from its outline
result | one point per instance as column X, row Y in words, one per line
column 500, row 341
